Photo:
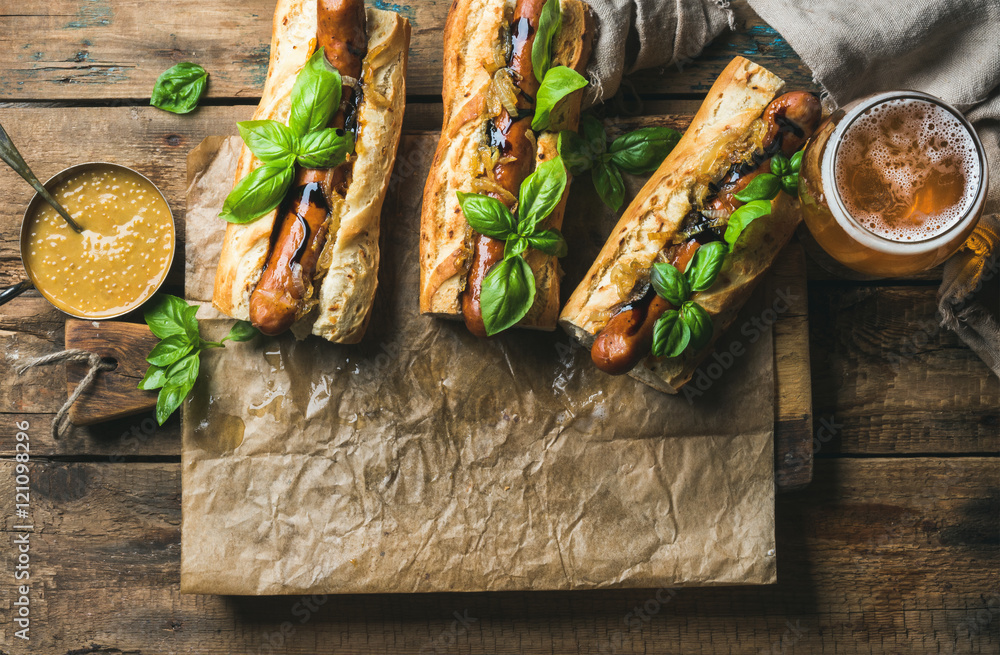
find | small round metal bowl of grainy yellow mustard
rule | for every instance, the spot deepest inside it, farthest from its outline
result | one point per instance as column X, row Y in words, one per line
column 121, row 257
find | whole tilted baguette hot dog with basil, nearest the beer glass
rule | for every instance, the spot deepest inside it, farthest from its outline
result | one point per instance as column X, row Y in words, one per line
column 685, row 256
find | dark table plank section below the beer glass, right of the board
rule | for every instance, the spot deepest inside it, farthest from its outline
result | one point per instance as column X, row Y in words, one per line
column 888, row 379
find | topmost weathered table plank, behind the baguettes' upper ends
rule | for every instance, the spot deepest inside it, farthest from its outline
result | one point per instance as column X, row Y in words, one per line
column 99, row 49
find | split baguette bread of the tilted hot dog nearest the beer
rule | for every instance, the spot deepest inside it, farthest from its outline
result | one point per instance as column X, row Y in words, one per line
column 724, row 121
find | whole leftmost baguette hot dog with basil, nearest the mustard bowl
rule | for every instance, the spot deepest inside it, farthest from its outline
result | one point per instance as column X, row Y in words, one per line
column 313, row 259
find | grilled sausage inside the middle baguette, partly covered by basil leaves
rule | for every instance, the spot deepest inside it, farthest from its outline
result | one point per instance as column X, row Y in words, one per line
column 510, row 136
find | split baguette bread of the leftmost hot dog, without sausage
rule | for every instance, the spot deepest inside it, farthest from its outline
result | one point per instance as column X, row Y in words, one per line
column 351, row 254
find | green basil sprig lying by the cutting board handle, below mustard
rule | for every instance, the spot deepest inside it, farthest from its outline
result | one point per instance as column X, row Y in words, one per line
column 175, row 361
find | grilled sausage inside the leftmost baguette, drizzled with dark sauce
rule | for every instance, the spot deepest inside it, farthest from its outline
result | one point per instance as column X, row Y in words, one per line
column 287, row 278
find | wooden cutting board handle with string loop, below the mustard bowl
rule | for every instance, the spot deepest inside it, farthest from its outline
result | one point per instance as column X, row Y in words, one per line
column 113, row 394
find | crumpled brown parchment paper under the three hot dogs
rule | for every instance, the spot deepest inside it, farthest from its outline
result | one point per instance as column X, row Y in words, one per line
column 424, row 459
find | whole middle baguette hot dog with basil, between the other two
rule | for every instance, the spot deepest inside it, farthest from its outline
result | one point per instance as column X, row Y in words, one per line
column 498, row 127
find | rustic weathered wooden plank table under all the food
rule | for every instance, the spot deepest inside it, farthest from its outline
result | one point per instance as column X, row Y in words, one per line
column 893, row 548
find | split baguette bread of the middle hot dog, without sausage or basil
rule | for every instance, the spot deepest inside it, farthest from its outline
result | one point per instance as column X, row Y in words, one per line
column 471, row 32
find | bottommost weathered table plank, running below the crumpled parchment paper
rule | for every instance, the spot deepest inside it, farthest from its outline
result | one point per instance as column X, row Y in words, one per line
column 884, row 556
